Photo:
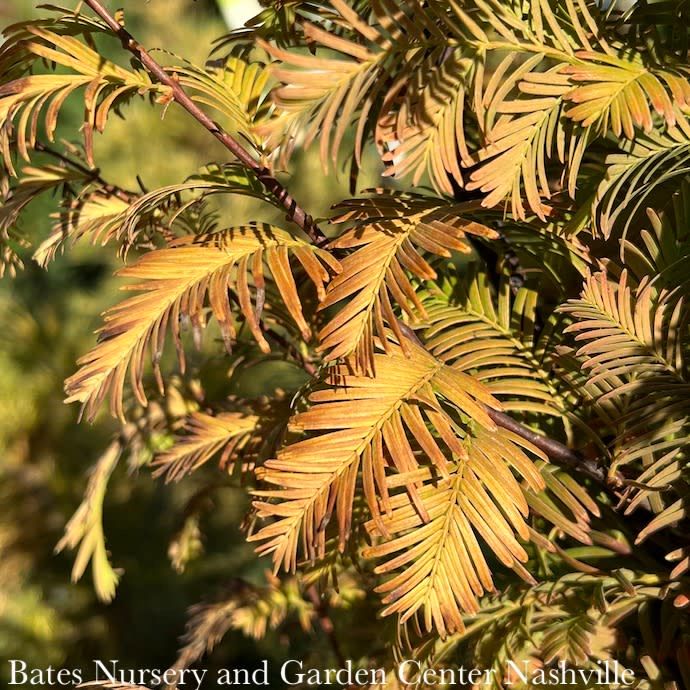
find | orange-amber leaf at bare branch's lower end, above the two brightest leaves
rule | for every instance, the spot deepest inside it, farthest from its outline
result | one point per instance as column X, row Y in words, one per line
column 390, row 233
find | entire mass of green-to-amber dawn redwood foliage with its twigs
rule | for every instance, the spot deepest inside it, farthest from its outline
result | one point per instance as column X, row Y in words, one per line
column 491, row 440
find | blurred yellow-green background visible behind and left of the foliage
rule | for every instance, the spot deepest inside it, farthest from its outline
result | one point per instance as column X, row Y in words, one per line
column 48, row 319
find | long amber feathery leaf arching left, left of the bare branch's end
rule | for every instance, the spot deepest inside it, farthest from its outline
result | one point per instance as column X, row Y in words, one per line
column 176, row 283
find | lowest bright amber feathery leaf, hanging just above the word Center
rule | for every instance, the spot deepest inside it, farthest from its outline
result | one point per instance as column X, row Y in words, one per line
column 441, row 568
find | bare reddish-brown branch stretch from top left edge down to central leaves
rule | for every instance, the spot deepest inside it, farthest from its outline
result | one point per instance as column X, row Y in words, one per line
column 294, row 211
